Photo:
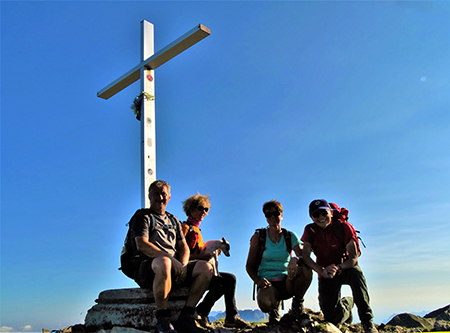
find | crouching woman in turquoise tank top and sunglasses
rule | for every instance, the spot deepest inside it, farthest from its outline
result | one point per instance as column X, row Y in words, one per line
column 277, row 274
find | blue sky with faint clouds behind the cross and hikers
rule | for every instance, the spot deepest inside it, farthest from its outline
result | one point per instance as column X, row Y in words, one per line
column 292, row 101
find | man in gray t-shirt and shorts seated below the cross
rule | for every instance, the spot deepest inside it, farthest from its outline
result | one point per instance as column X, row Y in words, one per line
column 161, row 259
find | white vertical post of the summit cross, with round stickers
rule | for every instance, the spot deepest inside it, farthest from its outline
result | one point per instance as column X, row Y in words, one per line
column 148, row 134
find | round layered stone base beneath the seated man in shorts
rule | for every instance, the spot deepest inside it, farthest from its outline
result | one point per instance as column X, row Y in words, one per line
column 133, row 308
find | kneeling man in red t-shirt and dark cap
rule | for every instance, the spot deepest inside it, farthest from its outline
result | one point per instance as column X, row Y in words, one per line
column 334, row 244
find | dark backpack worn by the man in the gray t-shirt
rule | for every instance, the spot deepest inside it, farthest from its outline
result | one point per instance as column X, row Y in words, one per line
column 130, row 259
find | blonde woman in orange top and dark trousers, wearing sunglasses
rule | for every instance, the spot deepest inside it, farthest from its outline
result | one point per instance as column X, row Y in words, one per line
column 196, row 208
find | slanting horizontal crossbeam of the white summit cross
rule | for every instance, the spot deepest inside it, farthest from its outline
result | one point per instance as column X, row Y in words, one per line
column 184, row 42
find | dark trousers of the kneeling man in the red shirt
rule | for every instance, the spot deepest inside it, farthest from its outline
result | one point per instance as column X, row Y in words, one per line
column 333, row 308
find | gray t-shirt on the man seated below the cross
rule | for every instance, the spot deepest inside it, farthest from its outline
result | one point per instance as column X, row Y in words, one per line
column 165, row 234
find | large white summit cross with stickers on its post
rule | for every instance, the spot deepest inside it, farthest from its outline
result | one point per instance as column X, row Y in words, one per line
column 145, row 72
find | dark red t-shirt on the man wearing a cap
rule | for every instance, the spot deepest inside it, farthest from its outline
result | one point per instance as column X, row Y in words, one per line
column 328, row 248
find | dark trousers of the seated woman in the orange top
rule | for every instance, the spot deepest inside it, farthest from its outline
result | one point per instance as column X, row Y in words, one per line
column 223, row 284
